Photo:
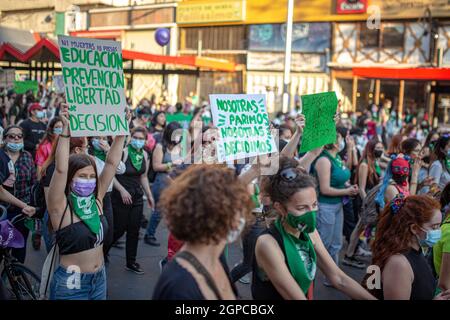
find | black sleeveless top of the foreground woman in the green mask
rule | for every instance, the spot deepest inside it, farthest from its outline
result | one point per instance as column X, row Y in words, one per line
column 262, row 287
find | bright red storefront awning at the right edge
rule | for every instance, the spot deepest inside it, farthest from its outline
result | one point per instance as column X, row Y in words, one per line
column 429, row 74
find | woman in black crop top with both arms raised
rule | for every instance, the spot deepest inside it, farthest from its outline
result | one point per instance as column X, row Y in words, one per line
column 75, row 208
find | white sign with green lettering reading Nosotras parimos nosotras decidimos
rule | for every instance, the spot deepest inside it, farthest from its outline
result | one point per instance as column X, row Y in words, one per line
column 244, row 126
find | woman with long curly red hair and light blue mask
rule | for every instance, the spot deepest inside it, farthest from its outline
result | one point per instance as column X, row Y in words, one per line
column 405, row 226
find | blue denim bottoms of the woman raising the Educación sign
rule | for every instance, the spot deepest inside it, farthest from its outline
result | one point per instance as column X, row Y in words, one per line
column 68, row 285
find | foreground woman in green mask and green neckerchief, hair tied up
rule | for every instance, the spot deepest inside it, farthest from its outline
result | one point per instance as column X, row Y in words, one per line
column 287, row 254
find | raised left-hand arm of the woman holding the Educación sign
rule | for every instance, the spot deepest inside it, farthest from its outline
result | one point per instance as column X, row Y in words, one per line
column 56, row 194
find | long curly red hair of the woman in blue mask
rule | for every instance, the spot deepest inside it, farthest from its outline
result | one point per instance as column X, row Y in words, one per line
column 393, row 235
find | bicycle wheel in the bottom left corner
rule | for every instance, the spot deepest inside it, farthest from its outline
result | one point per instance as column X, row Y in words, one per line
column 25, row 283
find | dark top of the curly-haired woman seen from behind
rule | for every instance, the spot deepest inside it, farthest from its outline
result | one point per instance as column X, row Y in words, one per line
column 176, row 283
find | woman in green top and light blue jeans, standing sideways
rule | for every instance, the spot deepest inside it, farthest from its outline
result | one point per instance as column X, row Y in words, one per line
column 334, row 186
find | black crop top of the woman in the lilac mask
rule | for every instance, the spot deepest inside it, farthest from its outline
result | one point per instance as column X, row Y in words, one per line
column 77, row 237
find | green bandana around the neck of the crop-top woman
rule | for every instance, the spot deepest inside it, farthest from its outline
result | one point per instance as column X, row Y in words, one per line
column 86, row 209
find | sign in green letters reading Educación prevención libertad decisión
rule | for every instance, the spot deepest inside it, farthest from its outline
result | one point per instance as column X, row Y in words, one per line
column 94, row 84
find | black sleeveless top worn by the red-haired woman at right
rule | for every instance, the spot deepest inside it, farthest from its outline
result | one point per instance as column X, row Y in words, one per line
column 424, row 284
